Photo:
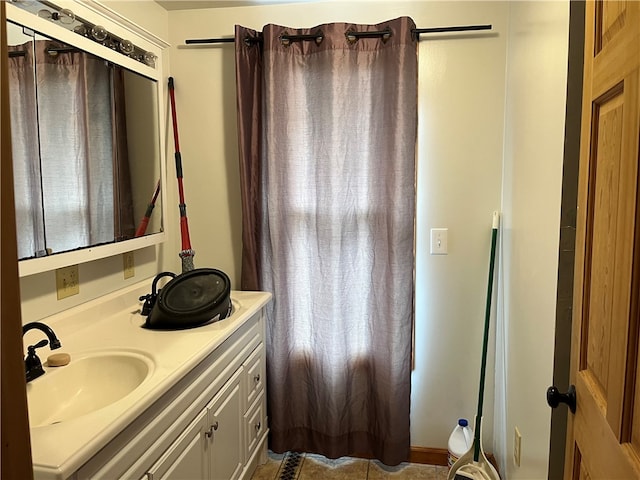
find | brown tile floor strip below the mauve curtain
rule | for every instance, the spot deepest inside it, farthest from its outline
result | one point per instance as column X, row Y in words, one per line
column 306, row 466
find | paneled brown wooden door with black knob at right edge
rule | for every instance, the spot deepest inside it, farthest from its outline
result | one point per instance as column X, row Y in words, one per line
column 603, row 439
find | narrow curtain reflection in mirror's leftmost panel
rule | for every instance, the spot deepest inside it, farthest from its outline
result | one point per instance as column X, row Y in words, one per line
column 26, row 165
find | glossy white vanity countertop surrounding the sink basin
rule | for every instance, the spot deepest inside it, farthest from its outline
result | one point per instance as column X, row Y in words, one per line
column 114, row 323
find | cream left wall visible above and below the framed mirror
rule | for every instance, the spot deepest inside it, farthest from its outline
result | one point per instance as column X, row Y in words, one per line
column 38, row 293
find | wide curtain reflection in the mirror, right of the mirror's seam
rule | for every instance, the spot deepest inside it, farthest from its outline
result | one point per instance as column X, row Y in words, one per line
column 80, row 163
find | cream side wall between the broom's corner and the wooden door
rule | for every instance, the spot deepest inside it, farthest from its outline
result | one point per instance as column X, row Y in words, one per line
column 534, row 138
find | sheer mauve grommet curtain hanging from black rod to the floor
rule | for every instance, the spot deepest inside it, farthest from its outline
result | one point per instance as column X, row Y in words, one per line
column 327, row 141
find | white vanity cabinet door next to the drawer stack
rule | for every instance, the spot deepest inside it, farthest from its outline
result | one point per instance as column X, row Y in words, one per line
column 225, row 417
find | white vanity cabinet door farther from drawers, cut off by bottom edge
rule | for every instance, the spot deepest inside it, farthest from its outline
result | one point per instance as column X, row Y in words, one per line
column 186, row 459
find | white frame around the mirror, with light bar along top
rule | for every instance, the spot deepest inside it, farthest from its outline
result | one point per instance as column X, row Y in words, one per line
column 99, row 14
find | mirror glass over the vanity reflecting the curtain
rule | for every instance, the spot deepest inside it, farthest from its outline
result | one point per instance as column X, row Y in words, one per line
column 86, row 147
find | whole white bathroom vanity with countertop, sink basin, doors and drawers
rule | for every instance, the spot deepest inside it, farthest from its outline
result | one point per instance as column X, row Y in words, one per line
column 167, row 404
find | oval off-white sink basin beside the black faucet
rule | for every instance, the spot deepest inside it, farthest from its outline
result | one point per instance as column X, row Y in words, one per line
column 88, row 383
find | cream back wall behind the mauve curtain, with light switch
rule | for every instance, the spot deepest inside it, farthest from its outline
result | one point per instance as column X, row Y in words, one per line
column 461, row 110
